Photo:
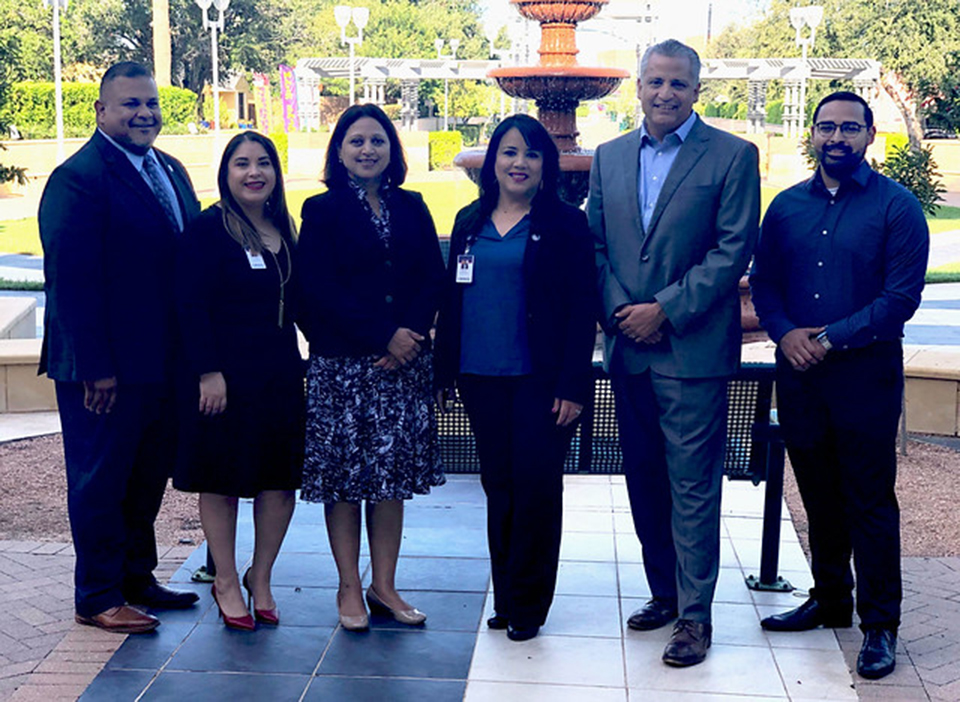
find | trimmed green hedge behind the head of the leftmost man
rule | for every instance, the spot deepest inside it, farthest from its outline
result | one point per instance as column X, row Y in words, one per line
column 31, row 107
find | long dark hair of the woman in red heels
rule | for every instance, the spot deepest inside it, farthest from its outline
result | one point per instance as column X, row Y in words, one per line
column 235, row 221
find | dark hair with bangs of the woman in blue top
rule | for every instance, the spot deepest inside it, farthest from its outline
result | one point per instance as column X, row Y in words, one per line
column 538, row 138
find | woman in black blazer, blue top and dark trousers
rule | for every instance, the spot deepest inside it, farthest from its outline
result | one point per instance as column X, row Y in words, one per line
column 515, row 334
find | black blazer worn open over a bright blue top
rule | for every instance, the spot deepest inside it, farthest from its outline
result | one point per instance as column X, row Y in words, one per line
column 559, row 272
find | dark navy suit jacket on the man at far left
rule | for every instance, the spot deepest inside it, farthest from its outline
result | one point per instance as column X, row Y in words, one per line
column 109, row 268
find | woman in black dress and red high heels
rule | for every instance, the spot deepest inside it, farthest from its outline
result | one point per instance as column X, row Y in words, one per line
column 242, row 412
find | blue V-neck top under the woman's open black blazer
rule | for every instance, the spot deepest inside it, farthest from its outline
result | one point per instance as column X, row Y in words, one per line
column 493, row 337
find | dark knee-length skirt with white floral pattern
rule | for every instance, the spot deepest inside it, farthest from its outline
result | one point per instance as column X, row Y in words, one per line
column 371, row 433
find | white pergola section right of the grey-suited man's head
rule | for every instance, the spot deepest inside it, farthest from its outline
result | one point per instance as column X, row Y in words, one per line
column 864, row 73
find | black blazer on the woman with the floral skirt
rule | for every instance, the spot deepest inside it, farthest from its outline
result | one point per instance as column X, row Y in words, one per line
column 354, row 292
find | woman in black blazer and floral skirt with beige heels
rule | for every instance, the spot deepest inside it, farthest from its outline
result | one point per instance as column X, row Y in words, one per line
column 371, row 272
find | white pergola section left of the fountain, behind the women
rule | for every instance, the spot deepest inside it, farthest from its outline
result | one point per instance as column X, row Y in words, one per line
column 374, row 74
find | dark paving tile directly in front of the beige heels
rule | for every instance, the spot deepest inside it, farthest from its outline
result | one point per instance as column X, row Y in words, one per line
column 394, row 654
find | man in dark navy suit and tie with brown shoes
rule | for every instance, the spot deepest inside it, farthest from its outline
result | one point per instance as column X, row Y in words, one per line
column 109, row 220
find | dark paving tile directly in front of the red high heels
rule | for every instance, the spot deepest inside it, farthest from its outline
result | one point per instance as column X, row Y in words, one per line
column 282, row 649
